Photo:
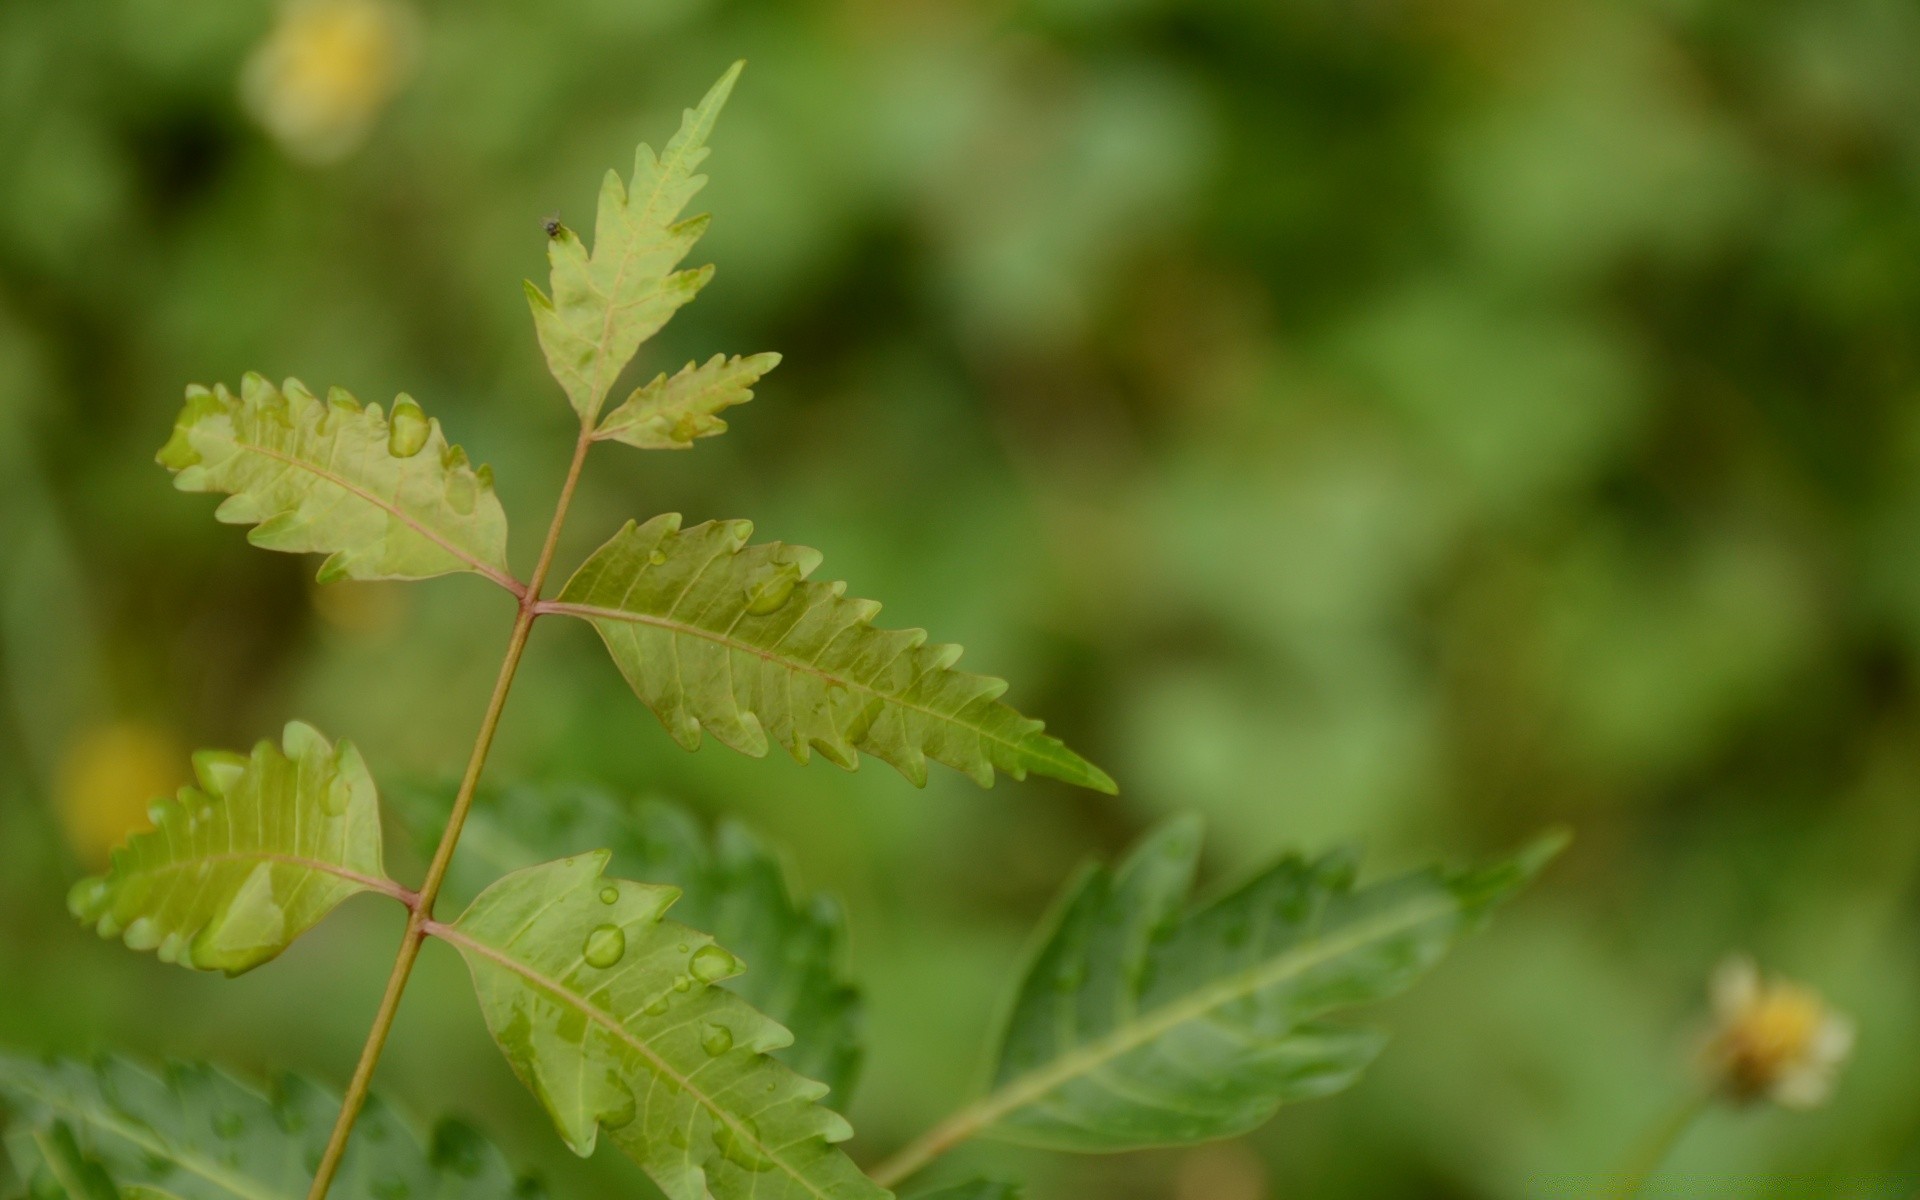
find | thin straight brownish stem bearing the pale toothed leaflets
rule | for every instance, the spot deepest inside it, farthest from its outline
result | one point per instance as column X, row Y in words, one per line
column 437, row 873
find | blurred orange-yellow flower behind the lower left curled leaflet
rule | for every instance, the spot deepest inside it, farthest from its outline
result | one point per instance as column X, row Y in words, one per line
column 107, row 780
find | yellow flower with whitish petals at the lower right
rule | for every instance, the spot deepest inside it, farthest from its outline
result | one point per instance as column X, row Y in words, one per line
column 1773, row 1040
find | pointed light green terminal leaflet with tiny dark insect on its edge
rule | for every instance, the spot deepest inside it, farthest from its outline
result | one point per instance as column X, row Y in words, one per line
column 606, row 304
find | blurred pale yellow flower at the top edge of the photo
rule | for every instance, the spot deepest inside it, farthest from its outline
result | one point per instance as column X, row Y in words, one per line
column 325, row 74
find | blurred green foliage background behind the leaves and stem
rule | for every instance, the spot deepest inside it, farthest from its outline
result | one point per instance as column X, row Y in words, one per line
column 1408, row 421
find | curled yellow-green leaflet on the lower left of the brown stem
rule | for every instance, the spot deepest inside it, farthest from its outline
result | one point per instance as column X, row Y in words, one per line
column 243, row 865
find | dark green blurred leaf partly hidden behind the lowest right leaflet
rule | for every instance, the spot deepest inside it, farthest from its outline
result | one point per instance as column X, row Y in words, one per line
column 734, row 890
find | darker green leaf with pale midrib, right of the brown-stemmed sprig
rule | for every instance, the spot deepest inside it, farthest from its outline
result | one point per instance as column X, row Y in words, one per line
column 1147, row 1022
